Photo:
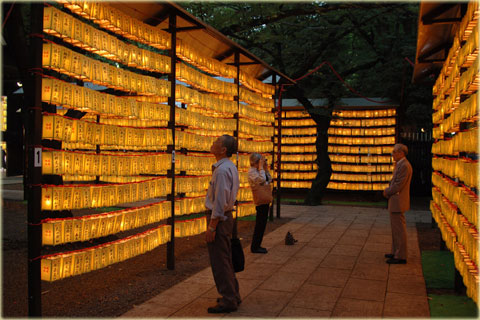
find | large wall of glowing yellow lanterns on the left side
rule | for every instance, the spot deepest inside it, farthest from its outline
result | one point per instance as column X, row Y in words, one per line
column 112, row 143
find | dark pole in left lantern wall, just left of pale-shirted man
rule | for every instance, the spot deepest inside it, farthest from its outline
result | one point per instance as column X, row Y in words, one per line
column 172, row 28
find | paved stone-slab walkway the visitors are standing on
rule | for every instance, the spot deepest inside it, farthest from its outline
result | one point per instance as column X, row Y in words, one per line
column 336, row 269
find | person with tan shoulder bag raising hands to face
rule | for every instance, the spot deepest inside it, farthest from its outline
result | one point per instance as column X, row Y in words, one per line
column 259, row 179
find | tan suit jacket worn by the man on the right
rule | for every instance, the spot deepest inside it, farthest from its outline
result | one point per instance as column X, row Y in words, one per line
column 398, row 192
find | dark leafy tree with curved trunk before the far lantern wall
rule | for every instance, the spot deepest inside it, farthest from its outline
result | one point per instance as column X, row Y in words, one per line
column 367, row 43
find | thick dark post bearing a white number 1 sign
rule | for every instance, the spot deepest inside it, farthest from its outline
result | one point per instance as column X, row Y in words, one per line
column 34, row 169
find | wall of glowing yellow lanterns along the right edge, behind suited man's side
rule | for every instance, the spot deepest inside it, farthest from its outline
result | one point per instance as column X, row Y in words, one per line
column 455, row 151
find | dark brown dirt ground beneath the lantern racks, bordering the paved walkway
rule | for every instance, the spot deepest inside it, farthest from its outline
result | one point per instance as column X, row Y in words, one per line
column 112, row 291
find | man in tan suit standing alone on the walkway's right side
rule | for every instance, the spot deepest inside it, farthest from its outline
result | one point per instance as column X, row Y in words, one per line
column 398, row 195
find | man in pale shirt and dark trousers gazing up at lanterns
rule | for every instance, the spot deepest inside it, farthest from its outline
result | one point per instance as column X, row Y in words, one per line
column 221, row 197
